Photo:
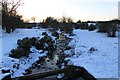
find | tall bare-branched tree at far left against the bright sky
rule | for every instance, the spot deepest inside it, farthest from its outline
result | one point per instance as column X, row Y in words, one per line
column 10, row 18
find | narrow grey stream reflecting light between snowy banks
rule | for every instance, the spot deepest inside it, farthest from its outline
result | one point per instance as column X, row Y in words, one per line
column 50, row 63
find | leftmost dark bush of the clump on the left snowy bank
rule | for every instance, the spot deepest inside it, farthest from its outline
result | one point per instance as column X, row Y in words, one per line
column 23, row 48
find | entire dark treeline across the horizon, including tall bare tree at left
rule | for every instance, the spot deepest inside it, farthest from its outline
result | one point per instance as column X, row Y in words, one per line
column 11, row 20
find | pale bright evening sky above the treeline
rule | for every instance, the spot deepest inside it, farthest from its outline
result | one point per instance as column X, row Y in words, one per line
column 96, row 10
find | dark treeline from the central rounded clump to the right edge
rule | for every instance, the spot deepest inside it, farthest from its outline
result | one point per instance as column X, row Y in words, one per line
column 67, row 25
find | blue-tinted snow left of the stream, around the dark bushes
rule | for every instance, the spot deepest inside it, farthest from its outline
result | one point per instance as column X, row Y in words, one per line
column 9, row 41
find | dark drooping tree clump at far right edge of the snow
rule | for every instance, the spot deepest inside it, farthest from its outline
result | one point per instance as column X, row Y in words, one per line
column 109, row 27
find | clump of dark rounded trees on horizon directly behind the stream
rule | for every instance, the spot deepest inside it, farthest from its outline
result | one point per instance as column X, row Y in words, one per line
column 65, row 24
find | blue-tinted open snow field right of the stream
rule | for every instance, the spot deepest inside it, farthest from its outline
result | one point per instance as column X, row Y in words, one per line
column 102, row 63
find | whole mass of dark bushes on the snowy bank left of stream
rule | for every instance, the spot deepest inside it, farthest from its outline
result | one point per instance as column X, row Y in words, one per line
column 23, row 50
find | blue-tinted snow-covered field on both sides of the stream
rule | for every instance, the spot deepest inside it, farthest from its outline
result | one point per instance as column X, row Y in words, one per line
column 102, row 63
